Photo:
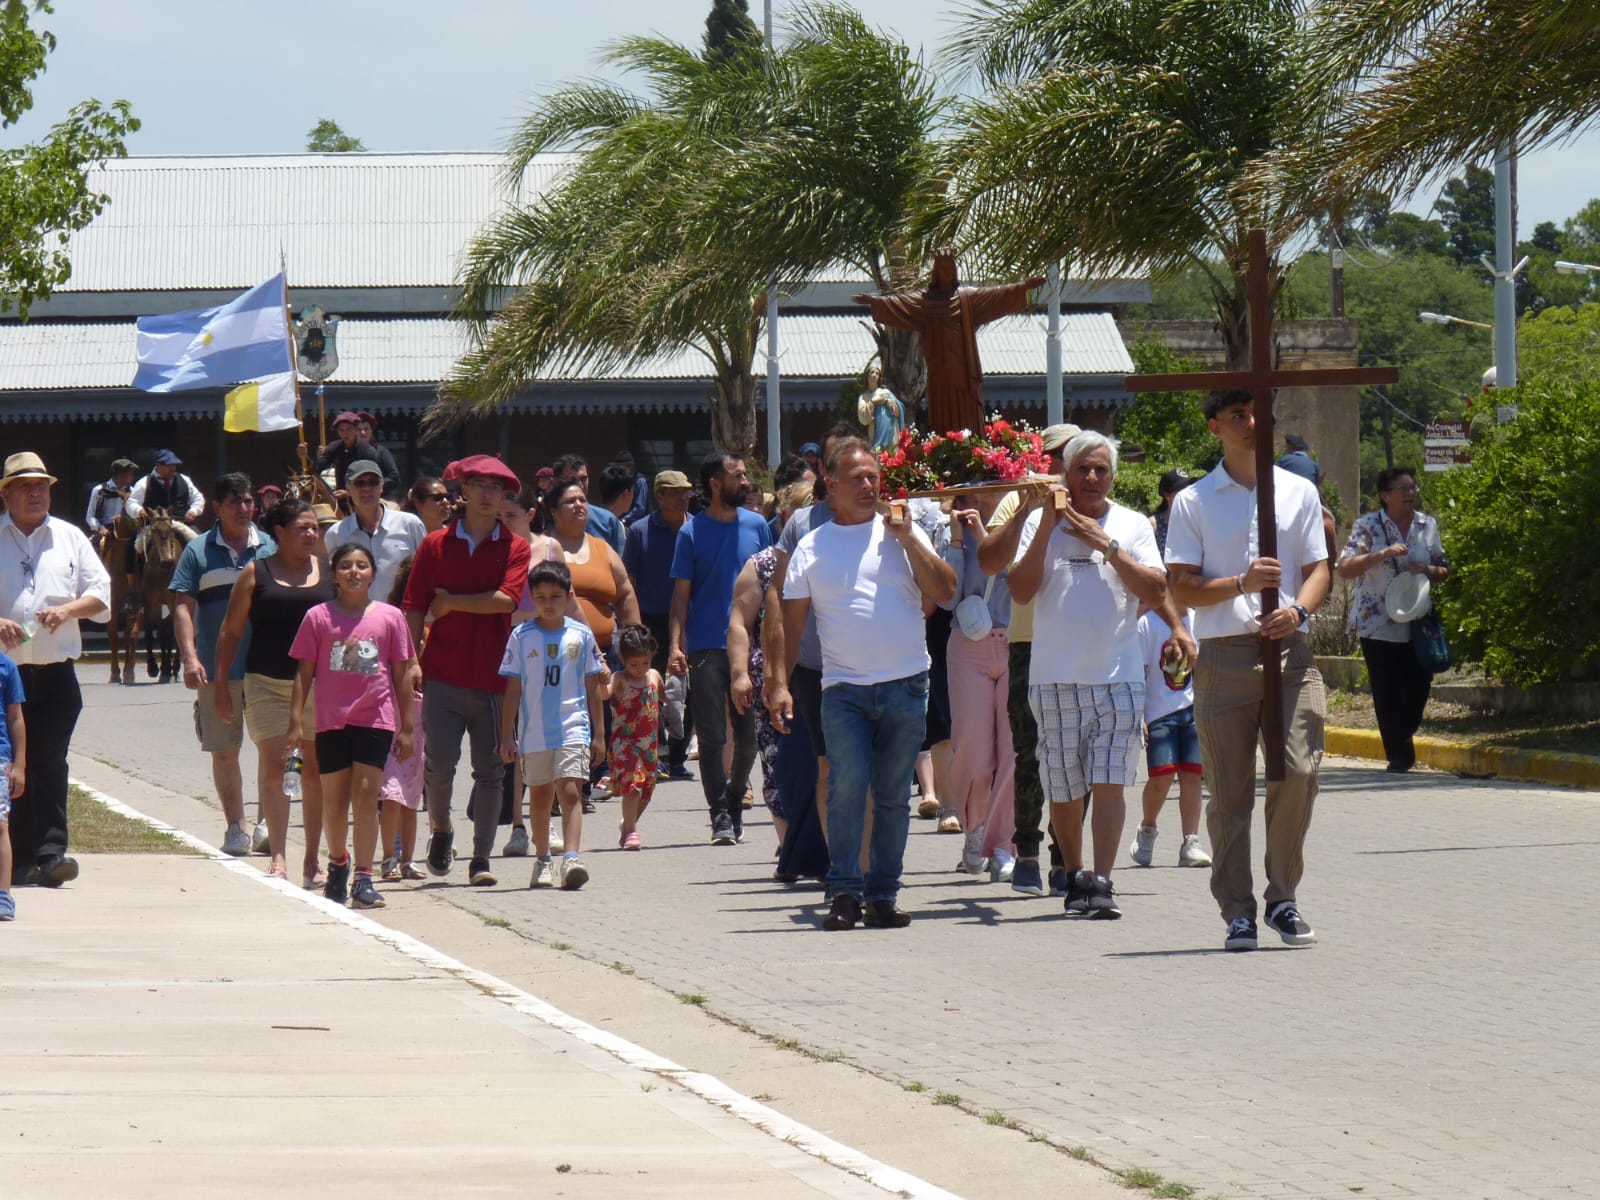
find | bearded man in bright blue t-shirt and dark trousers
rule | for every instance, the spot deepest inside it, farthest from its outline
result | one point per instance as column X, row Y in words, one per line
column 711, row 551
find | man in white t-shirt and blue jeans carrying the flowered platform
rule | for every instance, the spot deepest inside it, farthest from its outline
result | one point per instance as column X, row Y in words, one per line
column 866, row 580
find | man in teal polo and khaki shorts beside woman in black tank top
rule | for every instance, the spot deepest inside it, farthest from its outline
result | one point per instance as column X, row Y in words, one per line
column 202, row 583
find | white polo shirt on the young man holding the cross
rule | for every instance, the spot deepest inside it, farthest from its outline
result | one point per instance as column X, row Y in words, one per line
column 1214, row 527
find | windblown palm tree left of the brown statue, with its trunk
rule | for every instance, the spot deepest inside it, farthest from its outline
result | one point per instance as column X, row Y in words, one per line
column 682, row 206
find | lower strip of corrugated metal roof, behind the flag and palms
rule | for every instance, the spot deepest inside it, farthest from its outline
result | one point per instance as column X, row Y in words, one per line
column 49, row 356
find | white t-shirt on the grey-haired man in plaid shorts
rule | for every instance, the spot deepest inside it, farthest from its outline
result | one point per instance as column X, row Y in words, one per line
column 1086, row 620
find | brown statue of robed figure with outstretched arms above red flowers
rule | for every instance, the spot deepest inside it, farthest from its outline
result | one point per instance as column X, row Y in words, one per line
column 948, row 318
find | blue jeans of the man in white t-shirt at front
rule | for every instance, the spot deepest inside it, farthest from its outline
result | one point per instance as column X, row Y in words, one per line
column 874, row 734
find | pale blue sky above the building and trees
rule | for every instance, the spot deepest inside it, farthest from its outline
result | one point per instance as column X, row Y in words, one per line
column 238, row 78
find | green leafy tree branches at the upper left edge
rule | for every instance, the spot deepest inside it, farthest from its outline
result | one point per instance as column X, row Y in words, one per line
column 44, row 188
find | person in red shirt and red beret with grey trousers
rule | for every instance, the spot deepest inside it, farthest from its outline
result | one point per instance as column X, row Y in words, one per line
column 468, row 578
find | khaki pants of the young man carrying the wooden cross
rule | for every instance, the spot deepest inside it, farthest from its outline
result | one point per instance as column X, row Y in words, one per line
column 1228, row 714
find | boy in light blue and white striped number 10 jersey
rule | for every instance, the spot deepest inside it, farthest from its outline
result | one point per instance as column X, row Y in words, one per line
column 551, row 716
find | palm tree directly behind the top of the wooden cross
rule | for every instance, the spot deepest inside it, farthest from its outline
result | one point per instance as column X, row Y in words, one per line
column 1122, row 137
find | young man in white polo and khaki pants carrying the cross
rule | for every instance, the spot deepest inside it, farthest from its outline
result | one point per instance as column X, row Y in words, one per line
column 1217, row 569
